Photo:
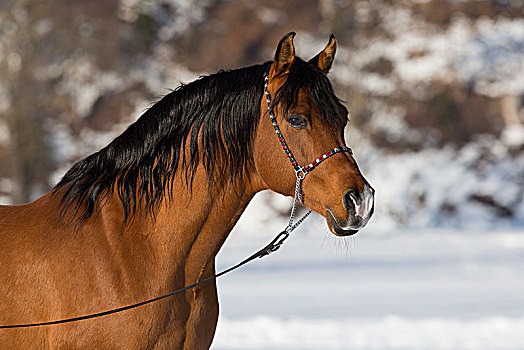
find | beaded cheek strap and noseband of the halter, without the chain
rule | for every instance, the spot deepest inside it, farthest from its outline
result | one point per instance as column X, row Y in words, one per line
column 300, row 171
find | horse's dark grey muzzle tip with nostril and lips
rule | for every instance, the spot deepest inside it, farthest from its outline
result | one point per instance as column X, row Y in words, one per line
column 359, row 207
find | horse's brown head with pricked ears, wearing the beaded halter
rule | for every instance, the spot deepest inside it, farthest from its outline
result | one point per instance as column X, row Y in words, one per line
column 311, row 120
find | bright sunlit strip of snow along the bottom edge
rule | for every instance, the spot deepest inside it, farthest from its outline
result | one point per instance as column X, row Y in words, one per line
column 389, row 332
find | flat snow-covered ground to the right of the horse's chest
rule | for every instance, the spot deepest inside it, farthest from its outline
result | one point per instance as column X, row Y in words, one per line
column 408, row 289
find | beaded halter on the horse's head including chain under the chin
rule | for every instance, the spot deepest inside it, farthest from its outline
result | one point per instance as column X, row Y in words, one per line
column 300, row 171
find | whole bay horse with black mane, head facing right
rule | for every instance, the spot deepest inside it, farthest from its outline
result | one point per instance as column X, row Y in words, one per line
column 148, row 213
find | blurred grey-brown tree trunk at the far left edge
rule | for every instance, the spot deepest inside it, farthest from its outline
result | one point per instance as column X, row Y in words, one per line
column 28, row 107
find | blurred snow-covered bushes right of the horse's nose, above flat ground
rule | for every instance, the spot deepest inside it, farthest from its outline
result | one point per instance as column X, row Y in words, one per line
column 437, row 187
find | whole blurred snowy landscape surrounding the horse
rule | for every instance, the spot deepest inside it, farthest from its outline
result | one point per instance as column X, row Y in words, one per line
column 436, row 94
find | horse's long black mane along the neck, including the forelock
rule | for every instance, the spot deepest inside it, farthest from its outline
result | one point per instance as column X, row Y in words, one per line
column 218, row 115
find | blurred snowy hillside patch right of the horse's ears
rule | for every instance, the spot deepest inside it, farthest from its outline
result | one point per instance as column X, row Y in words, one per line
column 486, row 53
